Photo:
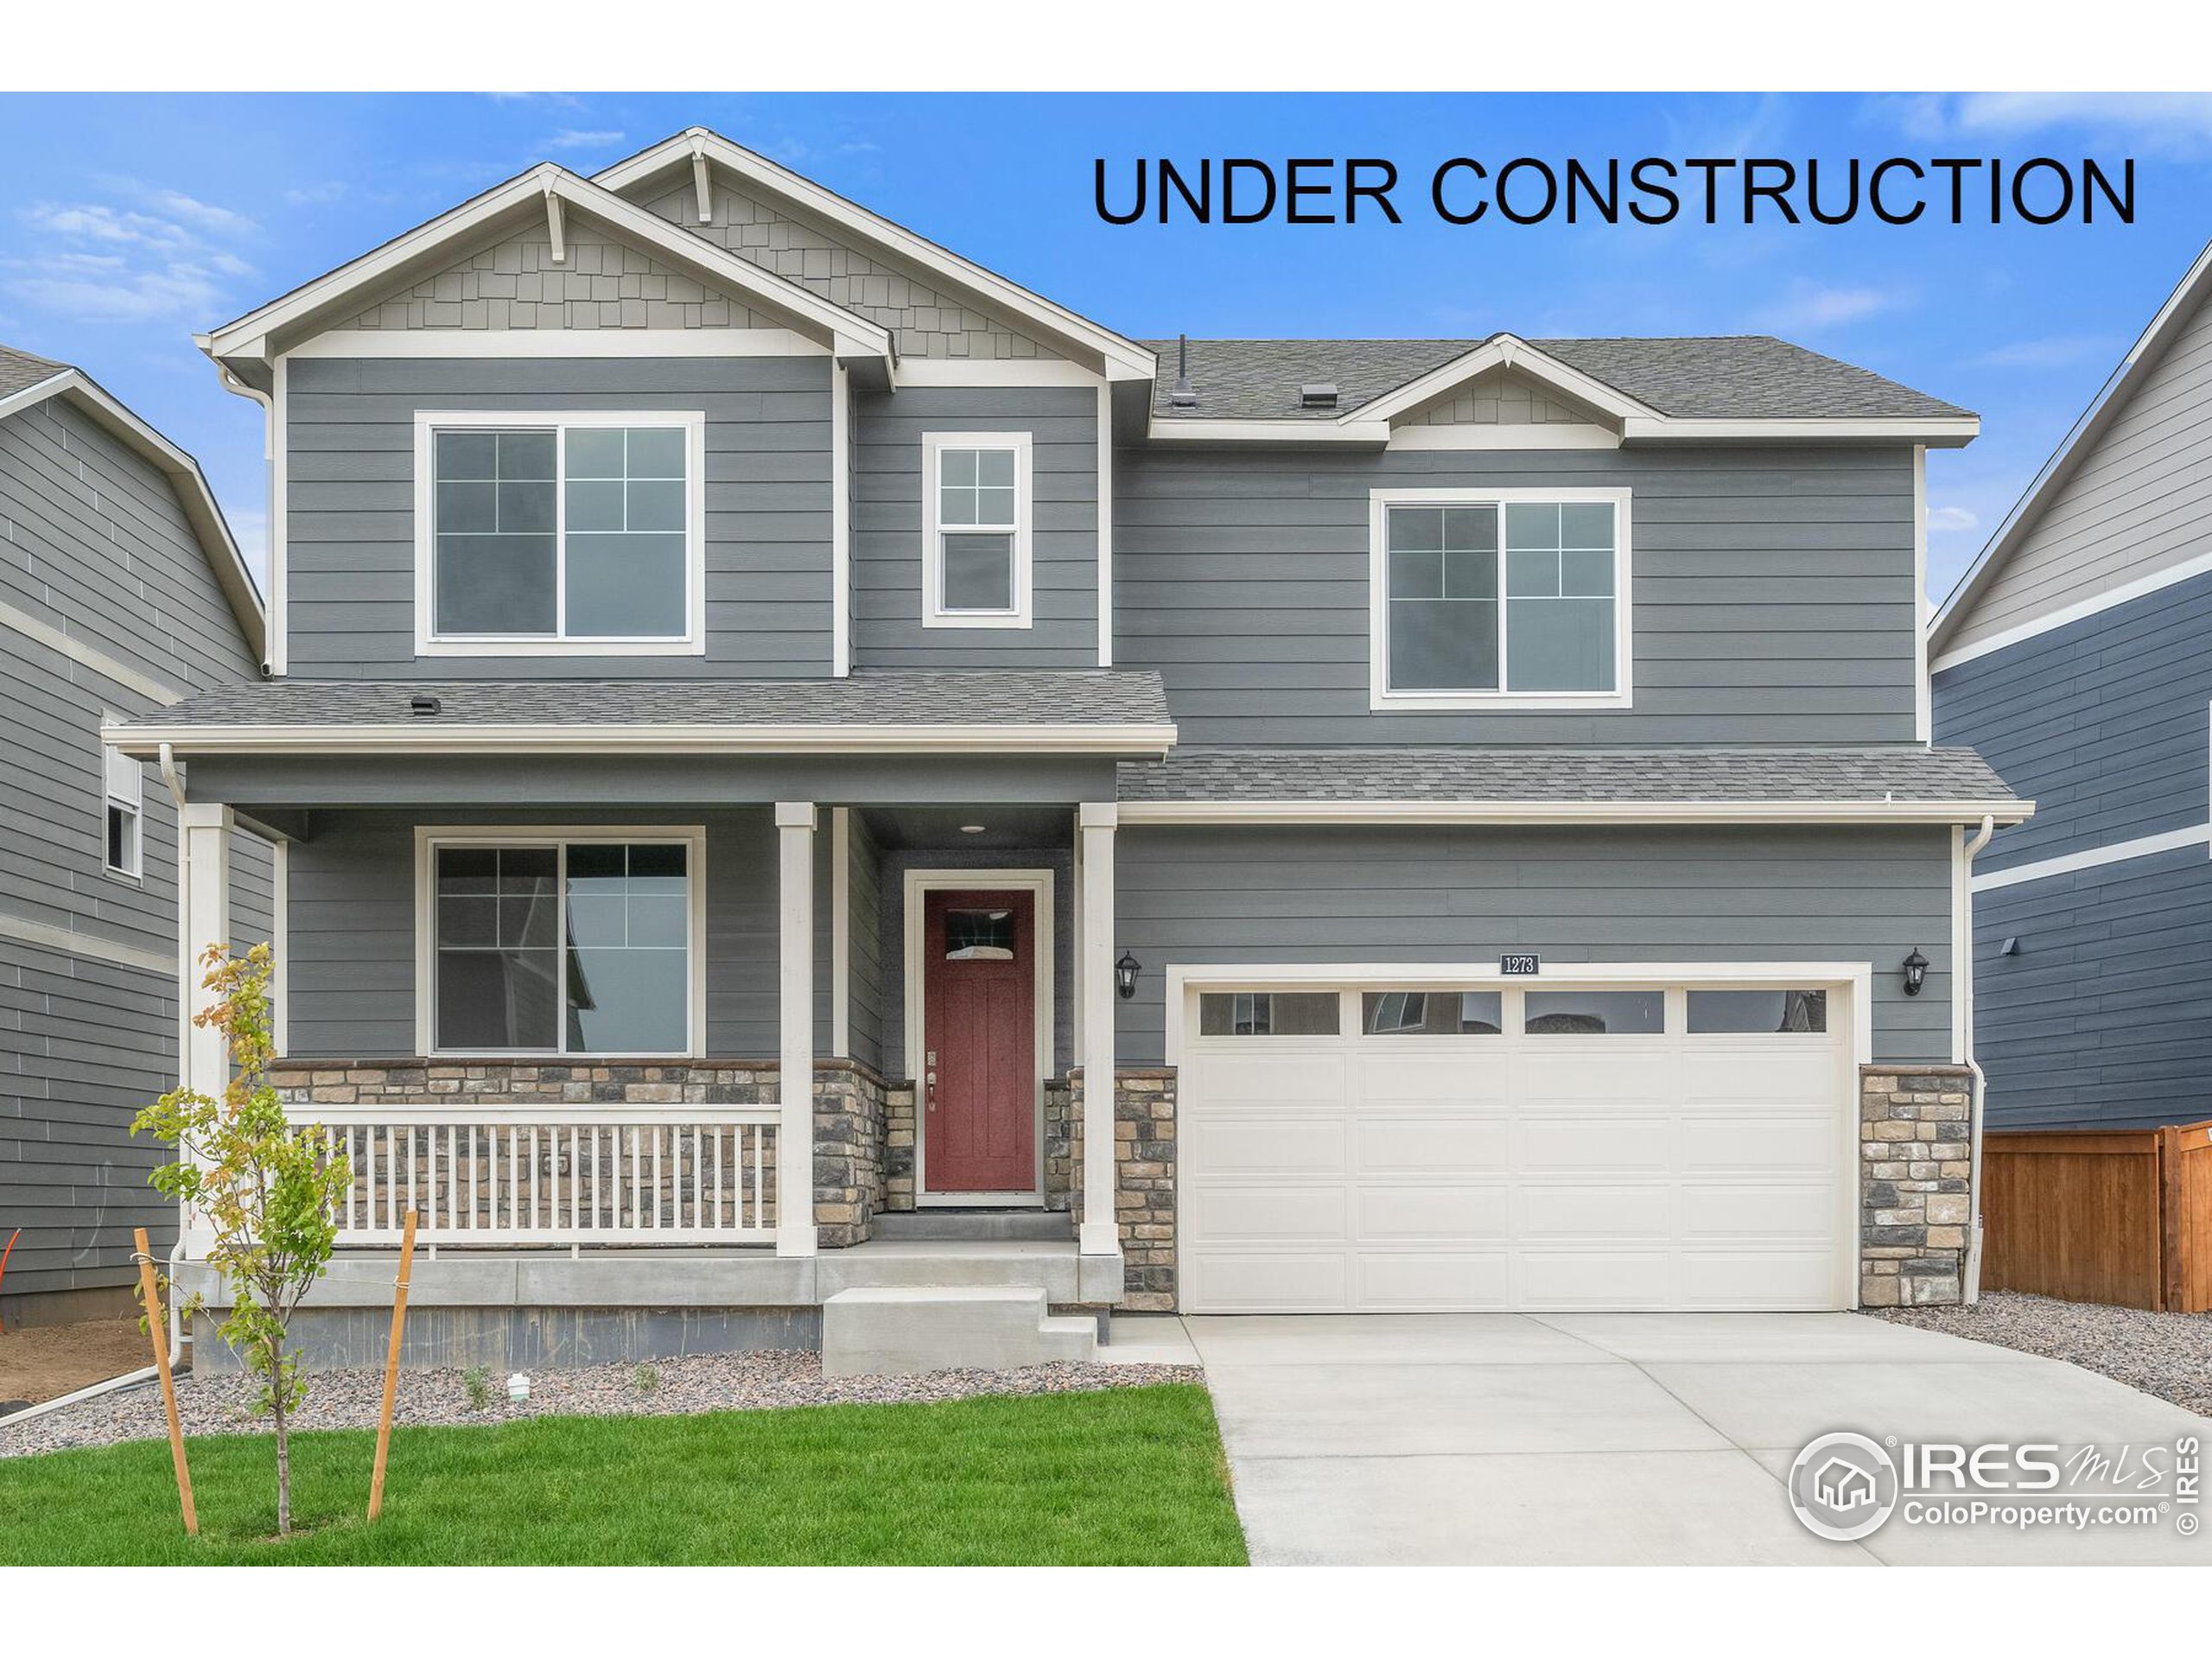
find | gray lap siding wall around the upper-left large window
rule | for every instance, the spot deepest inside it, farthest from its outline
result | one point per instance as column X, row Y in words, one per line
column 353, row 547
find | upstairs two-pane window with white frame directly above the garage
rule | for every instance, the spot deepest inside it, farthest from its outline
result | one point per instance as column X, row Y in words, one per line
column 1501, row 598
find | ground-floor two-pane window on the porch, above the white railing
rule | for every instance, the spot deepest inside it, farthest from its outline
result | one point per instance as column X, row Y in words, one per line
column 563, row 943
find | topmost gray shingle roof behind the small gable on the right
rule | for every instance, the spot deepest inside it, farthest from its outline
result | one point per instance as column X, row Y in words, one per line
column 1731, row 377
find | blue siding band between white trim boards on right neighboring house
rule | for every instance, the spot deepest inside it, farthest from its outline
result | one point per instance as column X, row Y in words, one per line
column 2103, row 722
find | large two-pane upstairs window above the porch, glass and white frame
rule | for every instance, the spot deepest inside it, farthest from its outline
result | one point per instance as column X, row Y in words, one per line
column 559, row 534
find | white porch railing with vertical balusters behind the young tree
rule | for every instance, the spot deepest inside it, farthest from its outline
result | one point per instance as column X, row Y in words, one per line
column 556, row 1176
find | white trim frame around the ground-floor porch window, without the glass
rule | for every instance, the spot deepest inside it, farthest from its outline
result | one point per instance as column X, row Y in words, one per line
column 563, row 837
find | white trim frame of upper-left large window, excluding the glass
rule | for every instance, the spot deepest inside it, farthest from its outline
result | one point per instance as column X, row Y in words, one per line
column 435, row 645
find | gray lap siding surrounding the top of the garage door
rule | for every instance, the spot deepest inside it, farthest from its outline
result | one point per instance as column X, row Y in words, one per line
column 1574, row 895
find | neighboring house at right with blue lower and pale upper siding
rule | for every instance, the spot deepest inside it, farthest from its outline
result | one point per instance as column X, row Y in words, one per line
column 2078, row 658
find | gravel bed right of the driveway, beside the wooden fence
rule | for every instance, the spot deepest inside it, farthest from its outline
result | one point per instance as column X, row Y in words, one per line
column 2164, row 1355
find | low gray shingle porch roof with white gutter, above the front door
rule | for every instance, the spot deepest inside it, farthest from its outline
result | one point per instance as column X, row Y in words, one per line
column 1096, row 711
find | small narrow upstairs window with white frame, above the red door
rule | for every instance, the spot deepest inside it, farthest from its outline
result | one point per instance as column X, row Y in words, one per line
column 977, row 530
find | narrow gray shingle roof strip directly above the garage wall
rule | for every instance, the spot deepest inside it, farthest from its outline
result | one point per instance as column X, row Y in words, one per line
column 1565, row 775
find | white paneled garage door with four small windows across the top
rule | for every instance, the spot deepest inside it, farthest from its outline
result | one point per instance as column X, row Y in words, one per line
column 1404, row 1149
